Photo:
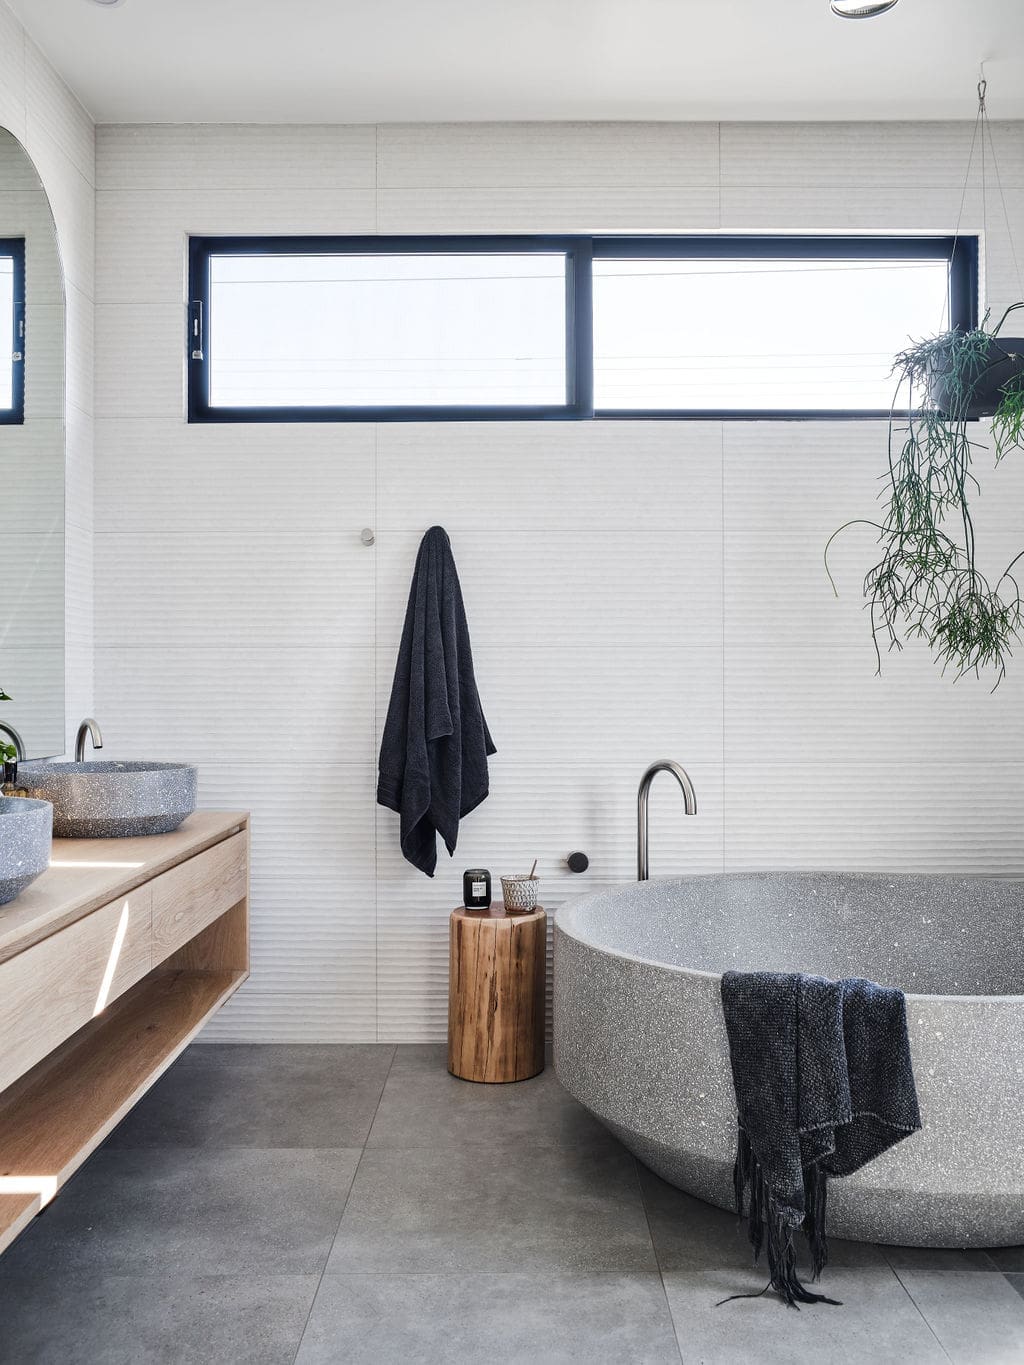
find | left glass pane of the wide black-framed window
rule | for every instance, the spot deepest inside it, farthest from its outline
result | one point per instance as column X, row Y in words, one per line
column 412, row 331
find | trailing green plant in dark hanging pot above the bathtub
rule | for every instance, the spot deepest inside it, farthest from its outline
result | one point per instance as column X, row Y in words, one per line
column 926, row 584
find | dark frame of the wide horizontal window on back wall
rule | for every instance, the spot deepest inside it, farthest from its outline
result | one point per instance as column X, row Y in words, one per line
column 581, row 252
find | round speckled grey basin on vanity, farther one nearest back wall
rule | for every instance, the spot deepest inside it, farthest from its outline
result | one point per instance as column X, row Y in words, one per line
column 113, row 801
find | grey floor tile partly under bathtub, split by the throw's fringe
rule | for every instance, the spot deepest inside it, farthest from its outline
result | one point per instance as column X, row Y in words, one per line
column 693, row 1236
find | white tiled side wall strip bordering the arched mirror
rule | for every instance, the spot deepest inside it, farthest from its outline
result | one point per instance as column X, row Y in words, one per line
column 59, row 137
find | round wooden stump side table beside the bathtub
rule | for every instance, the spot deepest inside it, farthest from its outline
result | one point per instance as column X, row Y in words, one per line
column 496, row 994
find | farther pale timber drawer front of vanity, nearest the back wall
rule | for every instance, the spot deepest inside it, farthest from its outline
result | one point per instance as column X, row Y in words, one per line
column 197, row 893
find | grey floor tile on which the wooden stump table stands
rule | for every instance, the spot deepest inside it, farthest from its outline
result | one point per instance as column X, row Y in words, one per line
column 424, row 1106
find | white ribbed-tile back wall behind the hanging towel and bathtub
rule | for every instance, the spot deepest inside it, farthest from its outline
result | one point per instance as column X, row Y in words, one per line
column 636, row 590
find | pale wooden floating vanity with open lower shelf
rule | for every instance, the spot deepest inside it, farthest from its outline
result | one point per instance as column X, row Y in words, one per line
column 110, row 966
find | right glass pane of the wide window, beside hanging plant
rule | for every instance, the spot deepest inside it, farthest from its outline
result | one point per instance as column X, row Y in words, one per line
column 758, row 335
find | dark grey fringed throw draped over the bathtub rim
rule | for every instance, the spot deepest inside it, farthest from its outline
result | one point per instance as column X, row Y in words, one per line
column 824, row 1084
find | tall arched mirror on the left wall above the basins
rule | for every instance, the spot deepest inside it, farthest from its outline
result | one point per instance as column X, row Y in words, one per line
column 32, row 459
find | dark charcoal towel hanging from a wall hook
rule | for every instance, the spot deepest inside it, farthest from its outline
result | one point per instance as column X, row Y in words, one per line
column 433, row 768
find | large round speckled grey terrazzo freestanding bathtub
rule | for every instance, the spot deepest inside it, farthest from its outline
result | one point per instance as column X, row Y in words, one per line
column 640, row 1035
